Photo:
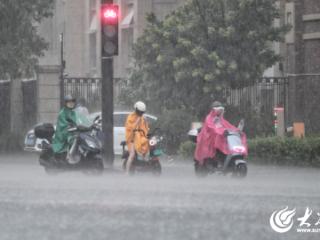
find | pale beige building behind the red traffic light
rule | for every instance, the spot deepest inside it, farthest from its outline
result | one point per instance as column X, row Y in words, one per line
column 78, row 20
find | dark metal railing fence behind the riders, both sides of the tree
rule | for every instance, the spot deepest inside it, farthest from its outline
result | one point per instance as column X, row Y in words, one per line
column 255, row 102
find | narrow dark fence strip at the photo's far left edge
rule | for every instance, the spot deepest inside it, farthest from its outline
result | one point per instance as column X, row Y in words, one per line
column 4, row 106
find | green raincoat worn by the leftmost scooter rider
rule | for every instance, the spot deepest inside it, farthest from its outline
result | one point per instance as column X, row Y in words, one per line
column 62, row 138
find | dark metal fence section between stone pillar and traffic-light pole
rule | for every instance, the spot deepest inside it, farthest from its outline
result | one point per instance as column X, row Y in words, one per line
column 85, row 89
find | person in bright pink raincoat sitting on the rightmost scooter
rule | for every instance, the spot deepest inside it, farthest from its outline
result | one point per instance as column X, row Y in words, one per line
column 212, row 135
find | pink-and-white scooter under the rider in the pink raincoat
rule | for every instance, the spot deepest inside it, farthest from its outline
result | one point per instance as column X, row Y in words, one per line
column 234, row 162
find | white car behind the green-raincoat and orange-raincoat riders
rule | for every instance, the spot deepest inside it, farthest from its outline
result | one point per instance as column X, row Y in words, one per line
column 33, row 144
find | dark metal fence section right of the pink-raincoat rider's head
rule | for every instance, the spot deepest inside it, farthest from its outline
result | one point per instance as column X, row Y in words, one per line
column 255, row 103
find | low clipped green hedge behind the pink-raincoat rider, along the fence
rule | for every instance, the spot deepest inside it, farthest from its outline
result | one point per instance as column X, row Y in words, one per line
column 275, row 151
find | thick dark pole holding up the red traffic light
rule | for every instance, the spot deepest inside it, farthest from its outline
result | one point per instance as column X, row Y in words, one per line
column 107, row 106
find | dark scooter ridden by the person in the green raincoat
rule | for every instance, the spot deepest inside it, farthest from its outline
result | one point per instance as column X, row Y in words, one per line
column 84, row 153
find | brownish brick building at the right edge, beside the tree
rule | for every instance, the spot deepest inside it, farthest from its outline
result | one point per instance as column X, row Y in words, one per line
column 301, row 60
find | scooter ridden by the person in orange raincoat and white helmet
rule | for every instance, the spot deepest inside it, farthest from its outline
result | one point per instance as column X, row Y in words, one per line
column 151, row 162
